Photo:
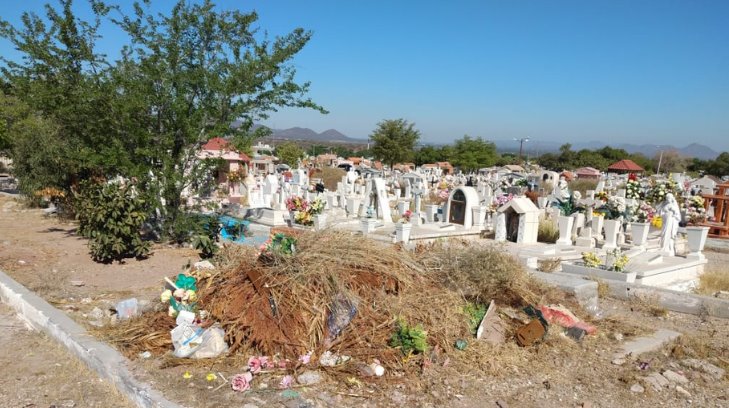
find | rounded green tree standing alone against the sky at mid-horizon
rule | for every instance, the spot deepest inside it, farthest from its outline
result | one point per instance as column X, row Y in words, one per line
column 394, row 140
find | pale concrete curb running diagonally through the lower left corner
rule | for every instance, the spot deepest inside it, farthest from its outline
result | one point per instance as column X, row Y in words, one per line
column 106, row 361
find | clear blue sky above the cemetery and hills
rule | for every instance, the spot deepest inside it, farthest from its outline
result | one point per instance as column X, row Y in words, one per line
column 643, row 72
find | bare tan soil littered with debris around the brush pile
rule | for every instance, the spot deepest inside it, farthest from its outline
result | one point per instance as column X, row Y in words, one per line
column 46, row 256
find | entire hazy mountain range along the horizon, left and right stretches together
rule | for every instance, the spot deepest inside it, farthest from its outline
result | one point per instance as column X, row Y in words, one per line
column 532, row 147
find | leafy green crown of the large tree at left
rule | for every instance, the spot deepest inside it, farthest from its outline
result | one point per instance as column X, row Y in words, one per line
column 182, row 79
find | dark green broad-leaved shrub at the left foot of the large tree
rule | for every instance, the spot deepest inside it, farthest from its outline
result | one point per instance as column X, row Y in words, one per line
column 111, row 215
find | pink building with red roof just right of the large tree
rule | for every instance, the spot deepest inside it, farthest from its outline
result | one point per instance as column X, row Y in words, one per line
column 236, row 163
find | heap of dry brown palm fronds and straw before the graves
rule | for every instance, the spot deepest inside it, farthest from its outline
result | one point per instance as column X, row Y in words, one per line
column 346, row 293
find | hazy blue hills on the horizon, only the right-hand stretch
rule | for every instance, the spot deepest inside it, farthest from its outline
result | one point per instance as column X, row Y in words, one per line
column 649, row 150
